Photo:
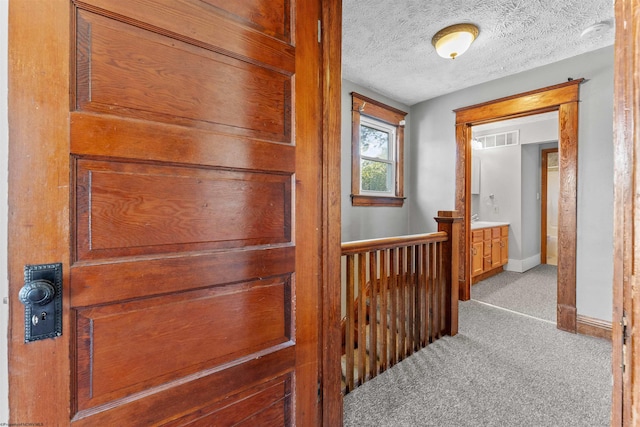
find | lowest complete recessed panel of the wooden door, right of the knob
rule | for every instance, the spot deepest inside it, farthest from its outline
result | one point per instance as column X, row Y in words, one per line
column 118, row 344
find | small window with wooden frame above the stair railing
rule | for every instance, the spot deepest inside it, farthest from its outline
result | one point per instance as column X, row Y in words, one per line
column 377, row 168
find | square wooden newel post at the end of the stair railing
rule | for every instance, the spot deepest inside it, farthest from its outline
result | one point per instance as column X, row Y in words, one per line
column 449, row 222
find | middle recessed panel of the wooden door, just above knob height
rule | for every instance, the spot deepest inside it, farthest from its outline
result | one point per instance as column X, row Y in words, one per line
column 125, row 209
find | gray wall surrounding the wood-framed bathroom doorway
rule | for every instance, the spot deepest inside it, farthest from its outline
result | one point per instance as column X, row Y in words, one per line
column 432, row 162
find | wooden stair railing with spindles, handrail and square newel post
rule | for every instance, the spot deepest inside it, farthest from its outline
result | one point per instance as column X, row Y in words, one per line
column 410, row 289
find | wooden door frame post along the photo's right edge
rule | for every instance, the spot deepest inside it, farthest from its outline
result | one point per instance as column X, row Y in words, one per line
column 626, row 218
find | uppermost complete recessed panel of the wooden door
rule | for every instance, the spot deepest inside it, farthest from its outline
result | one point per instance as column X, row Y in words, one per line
column 168, row 80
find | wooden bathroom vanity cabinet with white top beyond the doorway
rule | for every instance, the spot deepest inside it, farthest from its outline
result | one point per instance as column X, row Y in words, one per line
column 489, row 249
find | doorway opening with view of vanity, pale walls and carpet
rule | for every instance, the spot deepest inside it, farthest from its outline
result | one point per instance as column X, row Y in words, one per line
column 506, row 192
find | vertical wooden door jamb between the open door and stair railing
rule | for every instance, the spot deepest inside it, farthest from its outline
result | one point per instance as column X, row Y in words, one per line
column 331, row 375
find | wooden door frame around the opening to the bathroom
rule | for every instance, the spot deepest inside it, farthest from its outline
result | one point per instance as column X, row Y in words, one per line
column 563, row 98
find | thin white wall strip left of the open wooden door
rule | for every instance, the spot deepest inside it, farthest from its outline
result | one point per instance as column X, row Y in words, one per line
column 4, row 213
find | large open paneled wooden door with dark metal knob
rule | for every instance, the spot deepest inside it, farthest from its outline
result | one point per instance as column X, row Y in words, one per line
column 168, row 153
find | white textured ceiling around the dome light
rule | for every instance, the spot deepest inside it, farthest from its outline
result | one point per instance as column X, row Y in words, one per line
column 387, row 47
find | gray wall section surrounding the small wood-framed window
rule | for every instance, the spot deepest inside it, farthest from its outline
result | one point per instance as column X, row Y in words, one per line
column 365, row 222
